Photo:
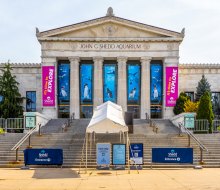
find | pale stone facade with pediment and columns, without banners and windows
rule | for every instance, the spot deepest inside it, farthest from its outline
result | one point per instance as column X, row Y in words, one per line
column 111, row 38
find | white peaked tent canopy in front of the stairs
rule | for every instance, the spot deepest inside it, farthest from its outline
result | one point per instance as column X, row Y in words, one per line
column 107, row 118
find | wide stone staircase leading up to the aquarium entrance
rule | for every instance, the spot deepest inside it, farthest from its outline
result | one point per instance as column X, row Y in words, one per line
column 71, row 141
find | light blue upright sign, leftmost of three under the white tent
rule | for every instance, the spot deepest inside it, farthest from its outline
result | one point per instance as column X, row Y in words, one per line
column 103, row 153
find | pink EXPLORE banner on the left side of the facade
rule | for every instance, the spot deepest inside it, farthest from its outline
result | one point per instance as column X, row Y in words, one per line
column 48, row 85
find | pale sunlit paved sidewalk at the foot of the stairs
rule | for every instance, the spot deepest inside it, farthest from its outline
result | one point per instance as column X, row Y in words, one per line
column 68, row 179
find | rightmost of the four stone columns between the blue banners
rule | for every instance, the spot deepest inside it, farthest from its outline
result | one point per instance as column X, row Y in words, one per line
column 145, row 86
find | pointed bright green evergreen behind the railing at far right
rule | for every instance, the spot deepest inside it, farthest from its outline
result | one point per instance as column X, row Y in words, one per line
column 205, row 109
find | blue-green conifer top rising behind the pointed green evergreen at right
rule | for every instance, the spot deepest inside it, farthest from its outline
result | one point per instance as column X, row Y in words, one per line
column 203, row 86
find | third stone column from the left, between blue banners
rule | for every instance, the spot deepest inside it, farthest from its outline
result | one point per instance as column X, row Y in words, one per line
column 122, row 82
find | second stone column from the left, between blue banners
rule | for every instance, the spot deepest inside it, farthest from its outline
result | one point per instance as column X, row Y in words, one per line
column 98, row 84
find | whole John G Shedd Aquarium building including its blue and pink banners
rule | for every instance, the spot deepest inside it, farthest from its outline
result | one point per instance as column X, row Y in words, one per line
column 110, row 59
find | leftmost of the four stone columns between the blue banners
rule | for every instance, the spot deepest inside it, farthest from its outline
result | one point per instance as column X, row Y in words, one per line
column 74, row 87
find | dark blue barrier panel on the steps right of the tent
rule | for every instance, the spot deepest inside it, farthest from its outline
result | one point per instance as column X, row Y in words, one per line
column 172, row 155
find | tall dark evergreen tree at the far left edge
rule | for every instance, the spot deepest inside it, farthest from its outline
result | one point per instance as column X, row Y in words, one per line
column 10, row 106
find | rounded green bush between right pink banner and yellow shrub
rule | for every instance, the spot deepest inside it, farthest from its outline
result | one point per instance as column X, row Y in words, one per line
column 180, row 103
